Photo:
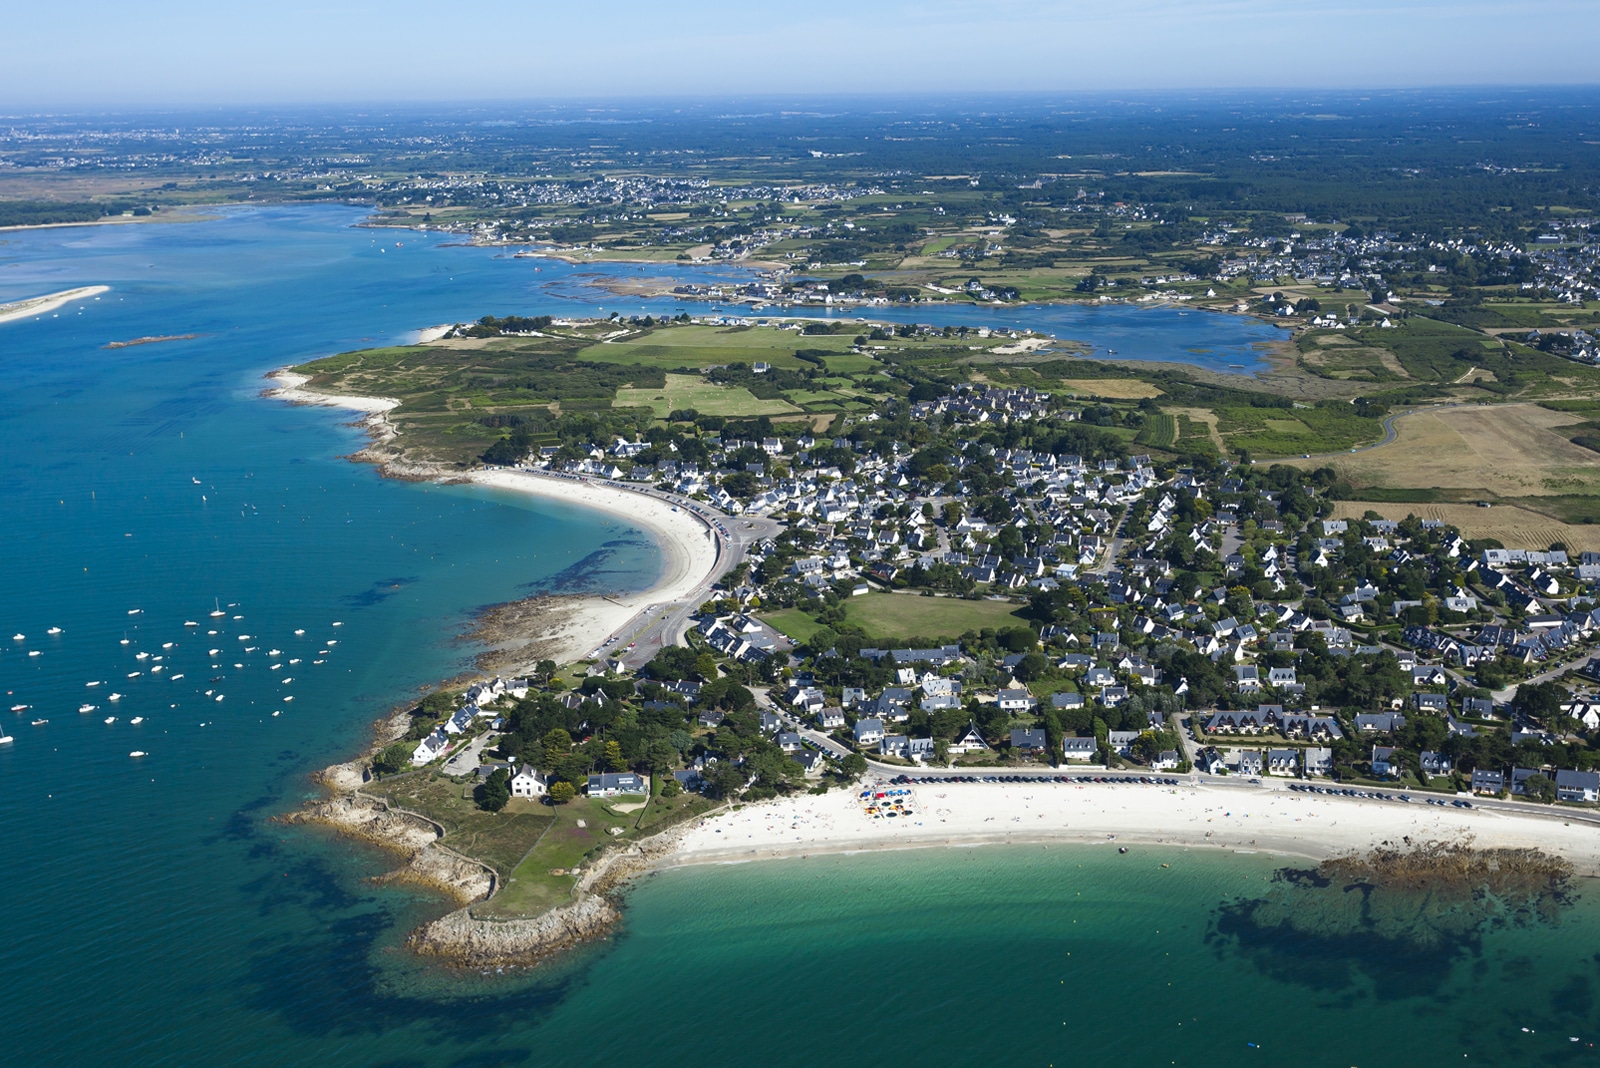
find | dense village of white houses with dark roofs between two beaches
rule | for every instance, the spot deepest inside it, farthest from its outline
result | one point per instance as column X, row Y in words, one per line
column 1086, row 608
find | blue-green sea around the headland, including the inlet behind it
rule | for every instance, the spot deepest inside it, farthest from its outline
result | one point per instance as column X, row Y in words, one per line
column 154, row 917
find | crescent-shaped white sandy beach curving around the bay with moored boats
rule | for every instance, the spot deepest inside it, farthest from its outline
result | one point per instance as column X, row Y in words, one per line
column 689, row 552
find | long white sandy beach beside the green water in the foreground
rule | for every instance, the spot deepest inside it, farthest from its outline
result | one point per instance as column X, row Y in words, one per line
column 1241, row 821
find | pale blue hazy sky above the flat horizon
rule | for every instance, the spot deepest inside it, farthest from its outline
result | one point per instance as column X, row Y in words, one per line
column 114, row 54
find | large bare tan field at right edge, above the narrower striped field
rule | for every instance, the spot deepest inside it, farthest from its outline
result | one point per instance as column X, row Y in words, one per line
column 1508, row 450
